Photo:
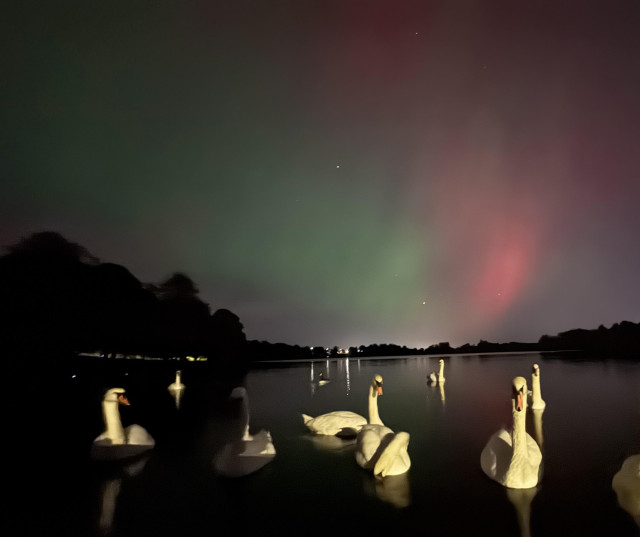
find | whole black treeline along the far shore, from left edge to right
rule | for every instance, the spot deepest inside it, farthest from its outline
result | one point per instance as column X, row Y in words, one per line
column 56, row 298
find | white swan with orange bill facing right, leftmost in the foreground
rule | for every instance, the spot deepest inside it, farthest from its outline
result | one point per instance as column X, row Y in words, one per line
column 117, row 442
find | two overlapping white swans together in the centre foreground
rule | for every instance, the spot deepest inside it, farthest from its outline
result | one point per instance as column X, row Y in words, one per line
column 378, row 448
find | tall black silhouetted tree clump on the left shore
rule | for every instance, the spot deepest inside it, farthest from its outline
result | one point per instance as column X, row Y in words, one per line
column 57, row 298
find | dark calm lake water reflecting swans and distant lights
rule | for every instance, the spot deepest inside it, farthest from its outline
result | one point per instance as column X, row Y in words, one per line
column 314, row 486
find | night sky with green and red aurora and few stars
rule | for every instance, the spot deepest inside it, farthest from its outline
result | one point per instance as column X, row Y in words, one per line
column 338, row 172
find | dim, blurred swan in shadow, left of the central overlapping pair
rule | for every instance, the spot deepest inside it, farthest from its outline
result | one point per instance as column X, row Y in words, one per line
column 244, row 453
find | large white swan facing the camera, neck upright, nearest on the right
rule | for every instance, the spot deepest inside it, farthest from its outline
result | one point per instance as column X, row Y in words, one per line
column 513, row 458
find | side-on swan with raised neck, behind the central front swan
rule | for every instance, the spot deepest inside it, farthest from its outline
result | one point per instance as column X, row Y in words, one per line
column 344, row 422
